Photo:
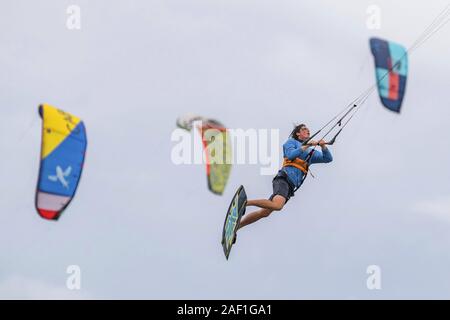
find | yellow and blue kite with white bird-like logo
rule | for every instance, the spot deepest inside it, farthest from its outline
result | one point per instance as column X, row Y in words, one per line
column 63, row 152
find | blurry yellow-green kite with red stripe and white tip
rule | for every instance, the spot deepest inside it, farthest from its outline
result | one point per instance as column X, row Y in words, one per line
column 217, row 147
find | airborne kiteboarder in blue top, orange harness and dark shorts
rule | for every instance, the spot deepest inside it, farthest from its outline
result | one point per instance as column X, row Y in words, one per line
column 297, row 158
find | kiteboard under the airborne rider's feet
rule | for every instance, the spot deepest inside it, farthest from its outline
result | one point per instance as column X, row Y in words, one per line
column 234, row 214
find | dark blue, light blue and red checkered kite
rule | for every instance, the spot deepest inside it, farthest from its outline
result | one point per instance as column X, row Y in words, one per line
column 391, row 63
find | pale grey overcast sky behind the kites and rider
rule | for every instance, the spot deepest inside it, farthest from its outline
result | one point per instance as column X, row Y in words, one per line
column 142, row 227
